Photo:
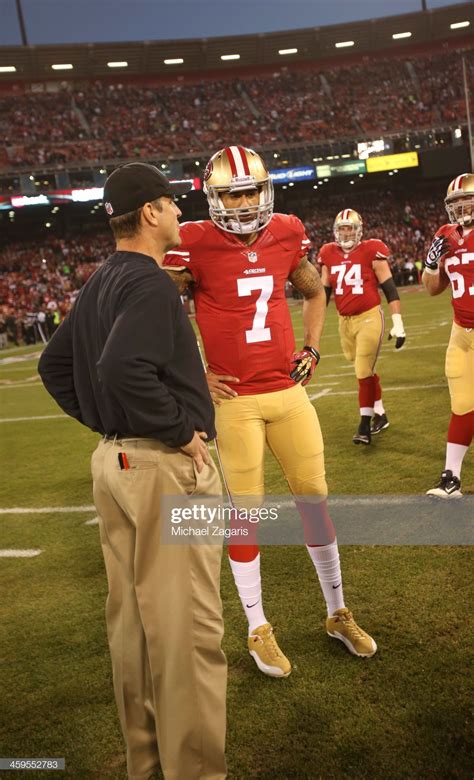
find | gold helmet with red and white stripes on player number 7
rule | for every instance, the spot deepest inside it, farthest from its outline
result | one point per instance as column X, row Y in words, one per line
column 235, row 169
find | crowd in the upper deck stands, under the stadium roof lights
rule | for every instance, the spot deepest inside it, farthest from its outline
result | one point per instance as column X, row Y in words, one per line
column 98, row 121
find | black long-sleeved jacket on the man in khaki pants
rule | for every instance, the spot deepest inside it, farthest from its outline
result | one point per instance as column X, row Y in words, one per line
column 125, row 360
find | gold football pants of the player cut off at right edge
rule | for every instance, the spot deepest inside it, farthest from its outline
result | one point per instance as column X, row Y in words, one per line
column 460, row 369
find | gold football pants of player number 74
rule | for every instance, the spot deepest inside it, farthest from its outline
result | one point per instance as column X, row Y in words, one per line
column 361, row 338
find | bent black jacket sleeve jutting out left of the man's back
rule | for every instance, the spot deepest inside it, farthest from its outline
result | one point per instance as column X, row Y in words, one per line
column 56, row 370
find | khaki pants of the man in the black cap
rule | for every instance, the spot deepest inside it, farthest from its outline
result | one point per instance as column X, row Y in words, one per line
column 164, row 614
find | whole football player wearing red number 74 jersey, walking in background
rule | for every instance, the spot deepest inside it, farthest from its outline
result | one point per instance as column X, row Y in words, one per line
column 354, row 269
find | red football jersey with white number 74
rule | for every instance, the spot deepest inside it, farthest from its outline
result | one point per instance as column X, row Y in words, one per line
column 352, row 276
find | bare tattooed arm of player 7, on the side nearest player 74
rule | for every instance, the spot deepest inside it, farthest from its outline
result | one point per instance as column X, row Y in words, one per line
column 308, row 282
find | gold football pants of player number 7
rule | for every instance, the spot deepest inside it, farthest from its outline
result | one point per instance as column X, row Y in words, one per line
column 287, row 421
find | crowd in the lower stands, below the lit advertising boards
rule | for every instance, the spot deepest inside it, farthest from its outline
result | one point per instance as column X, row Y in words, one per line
column 42, row 279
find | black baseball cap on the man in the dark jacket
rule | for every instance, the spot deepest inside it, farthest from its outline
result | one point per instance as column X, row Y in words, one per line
column 134, row 184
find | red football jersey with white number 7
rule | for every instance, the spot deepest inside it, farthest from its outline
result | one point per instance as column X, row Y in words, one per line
column 241, row 308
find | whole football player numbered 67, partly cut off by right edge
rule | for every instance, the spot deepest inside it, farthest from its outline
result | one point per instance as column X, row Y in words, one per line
column 450, row 261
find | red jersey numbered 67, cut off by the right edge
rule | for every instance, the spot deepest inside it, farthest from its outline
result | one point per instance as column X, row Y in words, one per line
column 459, row 266
